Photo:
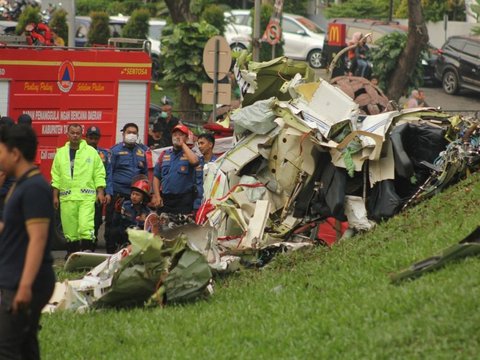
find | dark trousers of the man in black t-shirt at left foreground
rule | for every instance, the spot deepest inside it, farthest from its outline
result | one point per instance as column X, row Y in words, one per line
column 18, row 333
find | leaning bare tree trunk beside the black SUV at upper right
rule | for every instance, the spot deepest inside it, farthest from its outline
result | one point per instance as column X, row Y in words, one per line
column 416, row 41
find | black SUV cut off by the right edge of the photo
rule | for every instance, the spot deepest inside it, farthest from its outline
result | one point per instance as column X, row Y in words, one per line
column 458, row 64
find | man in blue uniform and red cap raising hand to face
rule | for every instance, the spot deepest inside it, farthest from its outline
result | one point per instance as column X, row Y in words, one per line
column 174, row 176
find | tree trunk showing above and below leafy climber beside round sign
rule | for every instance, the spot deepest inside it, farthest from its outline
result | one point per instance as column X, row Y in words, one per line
column 180, row 12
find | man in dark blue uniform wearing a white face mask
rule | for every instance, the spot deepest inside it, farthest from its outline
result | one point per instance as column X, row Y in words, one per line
column 127, row 160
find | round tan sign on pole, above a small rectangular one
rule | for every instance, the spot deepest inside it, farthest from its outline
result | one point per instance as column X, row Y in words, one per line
column 218, row 47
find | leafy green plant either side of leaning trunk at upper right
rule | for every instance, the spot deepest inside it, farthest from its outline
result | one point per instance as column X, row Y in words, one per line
column 385, row 60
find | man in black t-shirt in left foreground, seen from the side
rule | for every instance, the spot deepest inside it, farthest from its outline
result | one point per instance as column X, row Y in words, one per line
column 27, row 279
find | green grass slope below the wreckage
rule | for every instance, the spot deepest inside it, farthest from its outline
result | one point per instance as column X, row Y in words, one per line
column 322, row 304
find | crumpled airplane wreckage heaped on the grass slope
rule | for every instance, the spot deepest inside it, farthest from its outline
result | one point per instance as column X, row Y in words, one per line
column 308, row 165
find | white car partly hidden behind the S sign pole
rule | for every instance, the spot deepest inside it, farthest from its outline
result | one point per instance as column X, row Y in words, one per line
column 303, row 38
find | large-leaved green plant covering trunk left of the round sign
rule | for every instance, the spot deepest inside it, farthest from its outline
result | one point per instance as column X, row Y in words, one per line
column 182, row 47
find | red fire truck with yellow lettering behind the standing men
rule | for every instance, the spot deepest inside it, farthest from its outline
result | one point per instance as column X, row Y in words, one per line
column 105, row 87
